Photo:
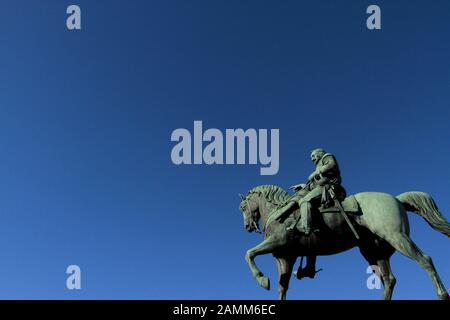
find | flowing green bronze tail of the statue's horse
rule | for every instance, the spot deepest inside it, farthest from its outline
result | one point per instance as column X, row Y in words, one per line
column 424, row 205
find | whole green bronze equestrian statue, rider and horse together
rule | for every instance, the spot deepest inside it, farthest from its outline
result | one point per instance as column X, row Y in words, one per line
column 319, row 219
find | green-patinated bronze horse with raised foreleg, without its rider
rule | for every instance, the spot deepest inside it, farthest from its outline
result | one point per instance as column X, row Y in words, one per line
column 382, row 225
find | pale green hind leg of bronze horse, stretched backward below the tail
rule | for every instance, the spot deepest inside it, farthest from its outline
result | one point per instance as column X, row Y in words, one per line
column 407, row 247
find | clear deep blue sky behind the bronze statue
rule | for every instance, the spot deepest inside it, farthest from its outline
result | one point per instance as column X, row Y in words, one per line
column 86, row 116
